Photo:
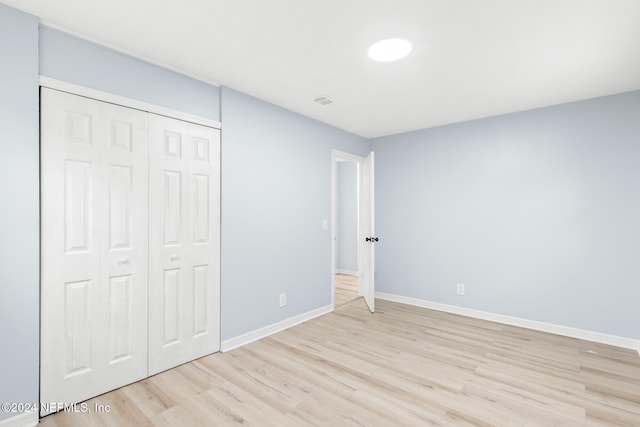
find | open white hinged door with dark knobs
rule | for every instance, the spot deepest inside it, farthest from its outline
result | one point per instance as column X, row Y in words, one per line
column 367, row 232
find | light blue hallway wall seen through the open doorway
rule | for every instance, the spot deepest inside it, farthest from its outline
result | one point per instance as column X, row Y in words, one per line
column 347, row 217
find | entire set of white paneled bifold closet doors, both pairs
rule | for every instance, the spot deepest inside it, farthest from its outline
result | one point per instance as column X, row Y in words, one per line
column 130, row 244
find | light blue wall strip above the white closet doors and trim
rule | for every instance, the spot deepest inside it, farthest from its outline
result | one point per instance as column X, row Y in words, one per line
column 68, row 58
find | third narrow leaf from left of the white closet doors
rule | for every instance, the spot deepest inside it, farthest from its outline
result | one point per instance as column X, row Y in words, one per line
column 168, row 272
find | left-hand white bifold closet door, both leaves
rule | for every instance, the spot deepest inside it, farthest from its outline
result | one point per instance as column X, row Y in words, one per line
column 94, row 239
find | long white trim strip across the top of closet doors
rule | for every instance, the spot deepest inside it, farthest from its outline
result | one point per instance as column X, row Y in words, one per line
column 125, row 102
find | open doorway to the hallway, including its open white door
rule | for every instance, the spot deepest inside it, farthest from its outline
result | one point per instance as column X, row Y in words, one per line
column 352, row 229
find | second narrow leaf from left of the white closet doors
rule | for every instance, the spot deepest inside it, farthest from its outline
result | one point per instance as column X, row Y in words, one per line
column 125, row 249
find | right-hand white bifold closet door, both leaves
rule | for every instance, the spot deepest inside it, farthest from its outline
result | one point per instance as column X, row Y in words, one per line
column 184, row 201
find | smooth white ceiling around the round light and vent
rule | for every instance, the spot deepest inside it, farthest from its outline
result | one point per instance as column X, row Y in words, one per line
column 470, row 58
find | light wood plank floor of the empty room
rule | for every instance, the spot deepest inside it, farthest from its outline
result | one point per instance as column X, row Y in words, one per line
column 402, row 366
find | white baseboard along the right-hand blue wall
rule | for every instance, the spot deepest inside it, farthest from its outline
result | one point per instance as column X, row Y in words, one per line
column 516, row 321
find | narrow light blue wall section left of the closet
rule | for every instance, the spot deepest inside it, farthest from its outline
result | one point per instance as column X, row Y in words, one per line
column 19, row 188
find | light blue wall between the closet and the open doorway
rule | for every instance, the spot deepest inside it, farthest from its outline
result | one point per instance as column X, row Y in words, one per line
column 276, row 191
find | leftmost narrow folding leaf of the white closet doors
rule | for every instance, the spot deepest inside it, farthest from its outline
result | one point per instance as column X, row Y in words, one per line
column 70, row 283
